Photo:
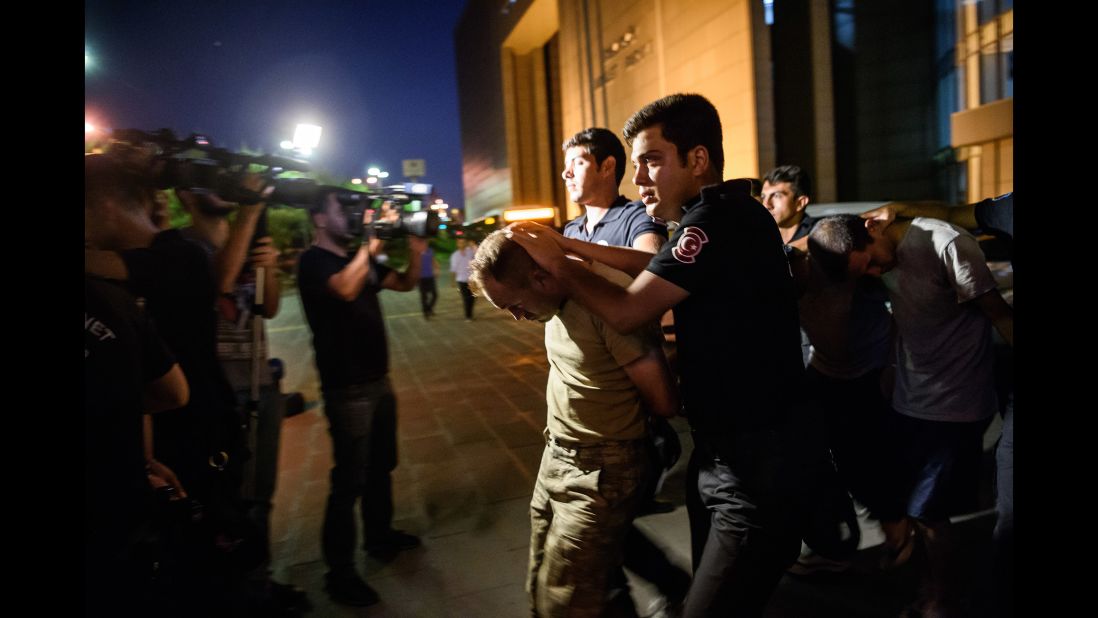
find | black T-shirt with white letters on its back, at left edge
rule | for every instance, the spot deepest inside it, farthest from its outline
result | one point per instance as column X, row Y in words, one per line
column 122, row 354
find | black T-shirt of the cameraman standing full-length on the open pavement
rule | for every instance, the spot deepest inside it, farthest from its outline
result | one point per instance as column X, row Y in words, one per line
column 349, row 338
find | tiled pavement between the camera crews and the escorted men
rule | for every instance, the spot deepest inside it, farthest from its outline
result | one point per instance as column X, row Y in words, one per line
column 472, row 411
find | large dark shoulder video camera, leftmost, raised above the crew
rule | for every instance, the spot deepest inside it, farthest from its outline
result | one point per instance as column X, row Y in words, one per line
column 196, row 165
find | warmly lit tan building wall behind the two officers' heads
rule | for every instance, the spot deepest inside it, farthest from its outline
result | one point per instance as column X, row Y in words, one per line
column 704, row 47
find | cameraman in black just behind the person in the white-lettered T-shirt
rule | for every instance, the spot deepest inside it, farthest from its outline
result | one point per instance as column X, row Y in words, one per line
column 200, row 442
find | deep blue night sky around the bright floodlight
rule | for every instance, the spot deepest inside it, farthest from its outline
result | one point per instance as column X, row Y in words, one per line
column 379, row 77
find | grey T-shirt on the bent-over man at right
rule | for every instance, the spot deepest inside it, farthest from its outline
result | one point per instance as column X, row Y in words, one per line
column 945, row 367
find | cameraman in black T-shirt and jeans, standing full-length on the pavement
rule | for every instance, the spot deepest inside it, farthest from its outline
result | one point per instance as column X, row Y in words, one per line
column 340, row 296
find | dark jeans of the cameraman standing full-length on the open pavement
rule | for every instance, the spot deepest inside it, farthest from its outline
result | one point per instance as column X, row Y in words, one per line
column 363, row 424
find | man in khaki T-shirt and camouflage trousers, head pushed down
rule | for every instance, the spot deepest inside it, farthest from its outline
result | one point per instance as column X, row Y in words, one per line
column 595, row 467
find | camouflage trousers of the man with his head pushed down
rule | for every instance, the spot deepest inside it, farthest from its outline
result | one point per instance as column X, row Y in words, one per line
column 585, row 502
